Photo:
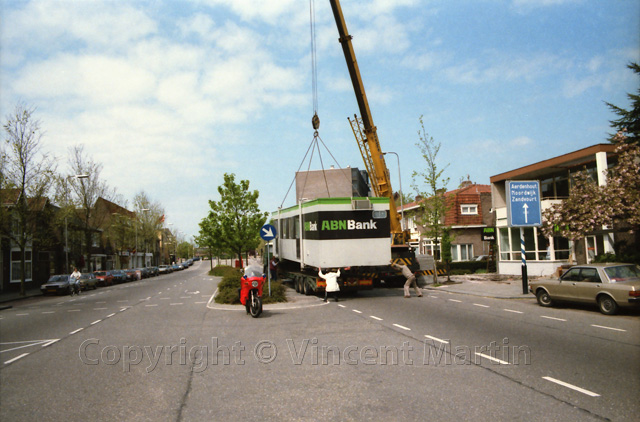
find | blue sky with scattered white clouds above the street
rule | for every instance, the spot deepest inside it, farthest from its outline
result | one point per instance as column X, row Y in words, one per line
column 170, row 95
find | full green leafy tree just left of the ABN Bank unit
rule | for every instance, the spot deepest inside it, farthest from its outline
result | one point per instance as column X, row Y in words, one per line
column 236, row 217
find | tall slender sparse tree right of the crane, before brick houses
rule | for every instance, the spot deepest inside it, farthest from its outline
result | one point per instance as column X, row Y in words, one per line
column 433, row 206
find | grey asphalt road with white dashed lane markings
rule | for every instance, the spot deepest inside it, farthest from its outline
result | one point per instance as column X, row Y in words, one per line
column 156, row 350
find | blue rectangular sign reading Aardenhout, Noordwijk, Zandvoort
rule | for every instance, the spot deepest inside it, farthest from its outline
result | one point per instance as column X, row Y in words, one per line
column 523, row 203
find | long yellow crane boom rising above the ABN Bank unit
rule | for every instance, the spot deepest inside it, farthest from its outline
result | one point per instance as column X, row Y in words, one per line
column 368, row 140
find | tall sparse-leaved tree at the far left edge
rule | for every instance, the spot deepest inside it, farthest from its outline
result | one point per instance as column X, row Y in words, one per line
column 28, row 172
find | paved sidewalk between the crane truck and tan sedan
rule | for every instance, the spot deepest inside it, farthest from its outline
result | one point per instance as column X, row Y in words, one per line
column 484, row 285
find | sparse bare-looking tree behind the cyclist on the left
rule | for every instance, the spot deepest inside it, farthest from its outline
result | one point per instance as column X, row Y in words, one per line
column 85, row 191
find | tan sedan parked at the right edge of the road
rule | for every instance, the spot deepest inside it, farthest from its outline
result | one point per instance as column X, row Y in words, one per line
column 610, row 286
